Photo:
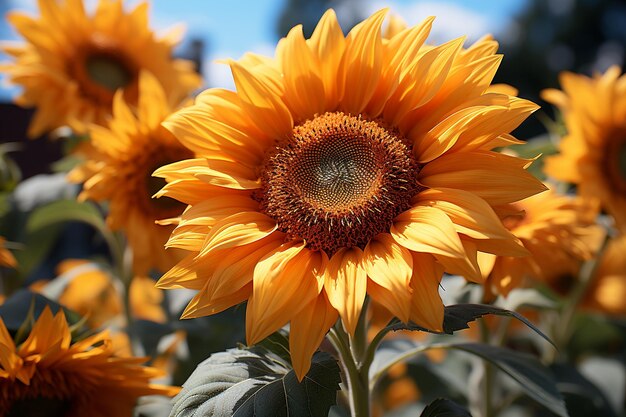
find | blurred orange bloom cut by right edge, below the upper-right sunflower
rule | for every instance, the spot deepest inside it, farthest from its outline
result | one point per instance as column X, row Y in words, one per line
column 608, row 289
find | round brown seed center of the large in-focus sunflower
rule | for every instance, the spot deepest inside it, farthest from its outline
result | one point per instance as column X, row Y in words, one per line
column 338, row 181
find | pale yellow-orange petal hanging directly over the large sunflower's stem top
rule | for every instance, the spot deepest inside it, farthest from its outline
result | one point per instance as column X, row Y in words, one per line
column 346, row 285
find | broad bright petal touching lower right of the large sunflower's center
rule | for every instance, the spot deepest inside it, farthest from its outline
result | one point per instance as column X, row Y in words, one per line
column 427, row 229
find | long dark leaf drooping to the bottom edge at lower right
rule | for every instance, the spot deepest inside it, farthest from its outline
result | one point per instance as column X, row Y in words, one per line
column 534, row 378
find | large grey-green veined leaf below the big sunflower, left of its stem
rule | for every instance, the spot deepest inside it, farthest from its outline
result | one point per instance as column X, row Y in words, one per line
column 254, row 382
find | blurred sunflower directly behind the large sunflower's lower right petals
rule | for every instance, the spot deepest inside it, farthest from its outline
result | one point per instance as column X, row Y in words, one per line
column 559, row 231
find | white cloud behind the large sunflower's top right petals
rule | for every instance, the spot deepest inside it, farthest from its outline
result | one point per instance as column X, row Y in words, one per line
column 453, row 20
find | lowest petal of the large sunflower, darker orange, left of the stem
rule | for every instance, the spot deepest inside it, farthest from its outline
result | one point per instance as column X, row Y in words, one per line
column 308, row 328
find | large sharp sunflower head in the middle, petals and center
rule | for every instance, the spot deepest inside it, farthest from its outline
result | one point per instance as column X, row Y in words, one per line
column 345, row 166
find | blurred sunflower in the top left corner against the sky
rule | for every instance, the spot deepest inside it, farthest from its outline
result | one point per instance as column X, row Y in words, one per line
column 73, row 62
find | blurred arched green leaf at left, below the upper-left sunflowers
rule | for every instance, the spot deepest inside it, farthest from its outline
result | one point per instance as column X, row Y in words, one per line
column 63, row 211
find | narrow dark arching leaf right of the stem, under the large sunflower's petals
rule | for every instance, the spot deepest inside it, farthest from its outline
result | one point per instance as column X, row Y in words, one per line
column 457, row 316
